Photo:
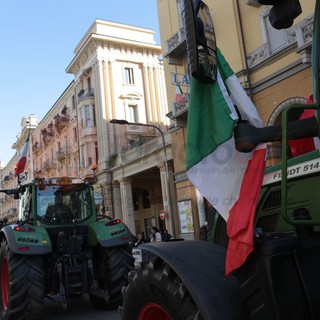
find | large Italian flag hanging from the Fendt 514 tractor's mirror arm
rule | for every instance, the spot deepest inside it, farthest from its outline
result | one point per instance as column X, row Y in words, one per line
column 229, row 180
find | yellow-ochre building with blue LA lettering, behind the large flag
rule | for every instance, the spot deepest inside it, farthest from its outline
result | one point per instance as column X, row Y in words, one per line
column 272, row 65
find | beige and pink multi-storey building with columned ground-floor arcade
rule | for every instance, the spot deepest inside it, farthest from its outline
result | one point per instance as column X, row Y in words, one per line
column 117, row 75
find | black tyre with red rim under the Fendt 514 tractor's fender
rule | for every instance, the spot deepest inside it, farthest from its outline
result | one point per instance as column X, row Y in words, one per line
column 155, row 292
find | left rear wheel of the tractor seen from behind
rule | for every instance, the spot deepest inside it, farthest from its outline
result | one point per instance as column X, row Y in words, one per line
column 22, row 286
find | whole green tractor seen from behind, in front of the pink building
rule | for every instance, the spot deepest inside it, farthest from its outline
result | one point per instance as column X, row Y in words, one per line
column 60, row 248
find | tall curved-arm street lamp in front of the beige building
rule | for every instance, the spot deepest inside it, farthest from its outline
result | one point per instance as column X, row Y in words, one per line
column 121, row 121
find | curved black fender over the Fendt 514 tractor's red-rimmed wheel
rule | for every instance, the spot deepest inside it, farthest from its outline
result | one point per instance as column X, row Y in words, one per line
column 201, row 267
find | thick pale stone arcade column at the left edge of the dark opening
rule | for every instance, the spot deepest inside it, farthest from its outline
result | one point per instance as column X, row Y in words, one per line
column 127, row 204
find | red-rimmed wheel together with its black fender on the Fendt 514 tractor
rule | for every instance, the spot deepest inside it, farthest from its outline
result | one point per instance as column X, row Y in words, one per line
column 182, row 280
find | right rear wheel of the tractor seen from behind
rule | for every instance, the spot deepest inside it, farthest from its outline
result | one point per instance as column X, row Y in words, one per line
column 112, row 266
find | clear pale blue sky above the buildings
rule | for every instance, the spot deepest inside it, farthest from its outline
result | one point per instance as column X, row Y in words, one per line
column 38, row 38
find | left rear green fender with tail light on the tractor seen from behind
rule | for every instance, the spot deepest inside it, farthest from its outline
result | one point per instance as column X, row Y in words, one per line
column 26, row 245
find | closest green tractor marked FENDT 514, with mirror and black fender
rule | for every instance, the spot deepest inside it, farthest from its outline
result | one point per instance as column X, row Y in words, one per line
column 184, row 280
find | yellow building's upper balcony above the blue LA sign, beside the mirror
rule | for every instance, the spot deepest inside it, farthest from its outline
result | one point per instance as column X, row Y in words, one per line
column 176, row 48
